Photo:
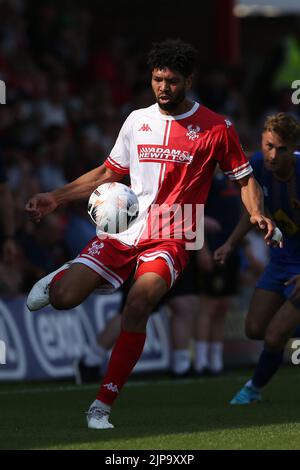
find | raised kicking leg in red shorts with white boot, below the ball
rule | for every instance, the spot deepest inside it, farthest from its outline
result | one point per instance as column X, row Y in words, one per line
column 104, row 264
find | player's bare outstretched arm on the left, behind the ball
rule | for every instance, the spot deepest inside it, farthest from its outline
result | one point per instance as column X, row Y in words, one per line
column 43, row 204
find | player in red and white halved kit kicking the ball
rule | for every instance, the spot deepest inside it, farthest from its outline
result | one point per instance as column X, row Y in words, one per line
column 170, row 150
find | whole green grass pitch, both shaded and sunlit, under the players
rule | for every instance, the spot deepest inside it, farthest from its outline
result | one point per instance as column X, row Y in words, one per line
column 156, row 414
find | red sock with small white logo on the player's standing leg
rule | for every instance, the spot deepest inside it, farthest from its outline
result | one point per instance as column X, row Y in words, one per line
column 125, row 354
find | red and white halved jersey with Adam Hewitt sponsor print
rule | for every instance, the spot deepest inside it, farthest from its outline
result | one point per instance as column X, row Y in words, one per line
column 171, row 161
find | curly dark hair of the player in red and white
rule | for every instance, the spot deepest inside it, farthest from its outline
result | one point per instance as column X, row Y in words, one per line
column 174, row 54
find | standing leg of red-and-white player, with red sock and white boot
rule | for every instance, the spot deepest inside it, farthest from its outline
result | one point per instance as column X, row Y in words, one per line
column 146, row 292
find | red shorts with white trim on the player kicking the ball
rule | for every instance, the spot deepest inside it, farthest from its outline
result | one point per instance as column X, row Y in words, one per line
column 114, row 261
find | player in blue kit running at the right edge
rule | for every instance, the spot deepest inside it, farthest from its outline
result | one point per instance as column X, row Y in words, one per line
column 274, row 311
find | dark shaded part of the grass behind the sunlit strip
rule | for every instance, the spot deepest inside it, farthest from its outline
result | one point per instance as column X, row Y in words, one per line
column 56, row 419
